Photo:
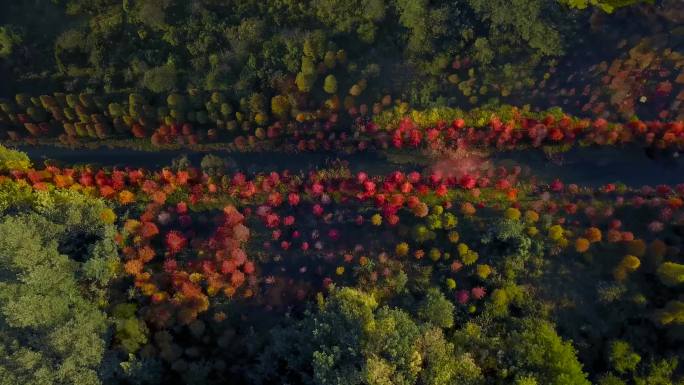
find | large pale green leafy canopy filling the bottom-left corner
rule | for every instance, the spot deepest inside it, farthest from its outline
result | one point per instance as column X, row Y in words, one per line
column 50, row 332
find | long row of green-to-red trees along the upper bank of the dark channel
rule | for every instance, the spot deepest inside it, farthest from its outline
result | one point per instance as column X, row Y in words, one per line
column 441, row 128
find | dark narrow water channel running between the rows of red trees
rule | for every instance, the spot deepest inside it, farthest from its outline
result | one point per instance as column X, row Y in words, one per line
column 592, row 166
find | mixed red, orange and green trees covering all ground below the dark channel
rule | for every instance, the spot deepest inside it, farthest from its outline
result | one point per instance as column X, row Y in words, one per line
column 209, row 263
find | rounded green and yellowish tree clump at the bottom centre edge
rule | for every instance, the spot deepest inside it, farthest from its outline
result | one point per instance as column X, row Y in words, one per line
column 351, row 340
